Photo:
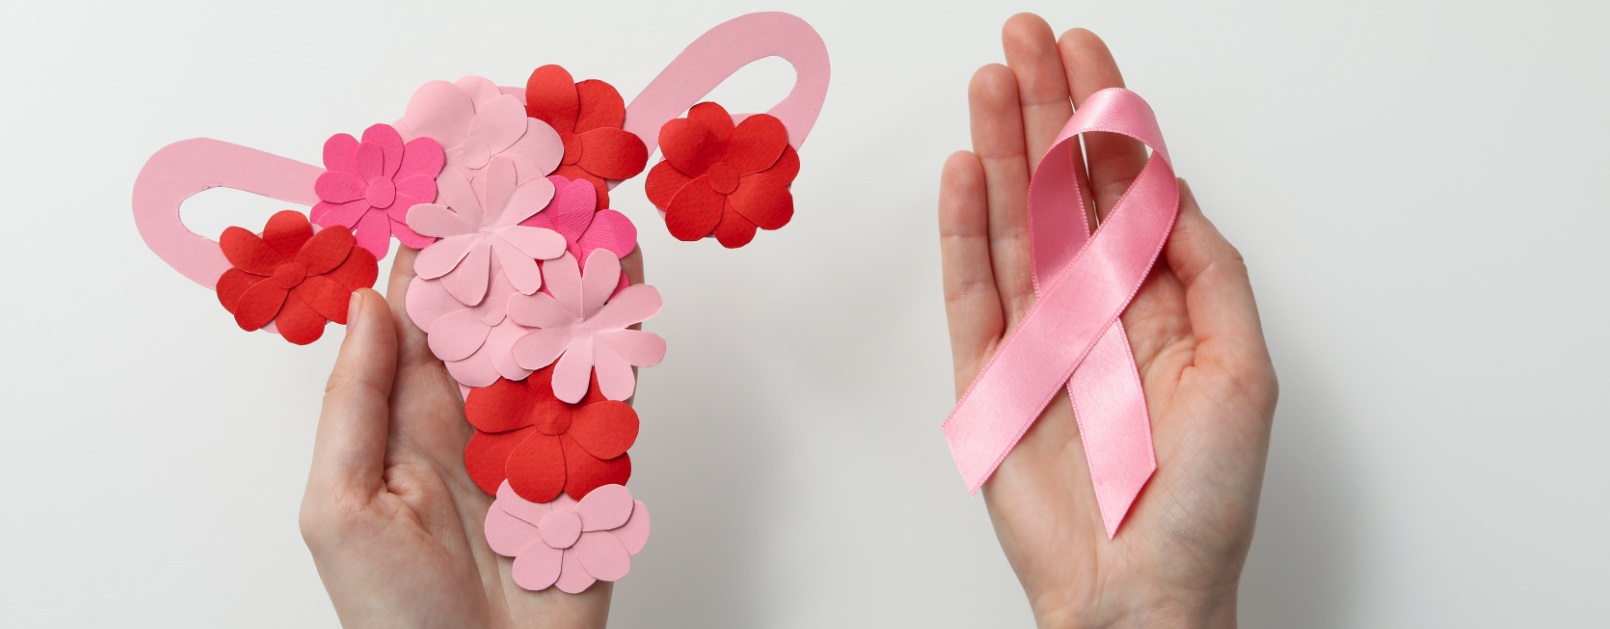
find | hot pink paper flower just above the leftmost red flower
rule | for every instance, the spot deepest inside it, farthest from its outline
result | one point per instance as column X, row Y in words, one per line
column 369, row 186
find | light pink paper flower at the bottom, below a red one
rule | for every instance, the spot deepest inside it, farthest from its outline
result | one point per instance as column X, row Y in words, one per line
column 571, row 545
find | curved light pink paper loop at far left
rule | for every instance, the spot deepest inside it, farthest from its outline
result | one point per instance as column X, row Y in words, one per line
column 191, row 166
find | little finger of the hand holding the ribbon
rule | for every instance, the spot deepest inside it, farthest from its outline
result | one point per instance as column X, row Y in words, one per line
column 972, row 303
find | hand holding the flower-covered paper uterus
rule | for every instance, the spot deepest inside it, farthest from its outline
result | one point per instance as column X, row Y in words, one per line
column 390, row 516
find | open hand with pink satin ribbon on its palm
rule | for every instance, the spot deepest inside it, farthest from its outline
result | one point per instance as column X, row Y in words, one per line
column 1197, row 340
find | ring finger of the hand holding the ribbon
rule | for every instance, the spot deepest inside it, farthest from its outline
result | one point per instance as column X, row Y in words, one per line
column 997, row 142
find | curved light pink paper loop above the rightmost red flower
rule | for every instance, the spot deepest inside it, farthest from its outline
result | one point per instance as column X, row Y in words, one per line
column 727, row 49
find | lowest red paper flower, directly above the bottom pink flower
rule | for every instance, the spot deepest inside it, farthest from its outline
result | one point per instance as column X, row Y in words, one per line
column 545, row 446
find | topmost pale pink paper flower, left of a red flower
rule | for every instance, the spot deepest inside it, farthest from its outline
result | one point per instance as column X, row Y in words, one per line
column 477, row 125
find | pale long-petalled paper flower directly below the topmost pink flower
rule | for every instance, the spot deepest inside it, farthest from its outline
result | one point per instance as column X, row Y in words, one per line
column 477, row 224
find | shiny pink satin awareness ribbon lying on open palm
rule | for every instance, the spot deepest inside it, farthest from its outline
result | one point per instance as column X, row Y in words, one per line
column 1073, row 335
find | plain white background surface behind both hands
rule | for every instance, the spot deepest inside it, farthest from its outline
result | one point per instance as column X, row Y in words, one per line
column 1418, row 187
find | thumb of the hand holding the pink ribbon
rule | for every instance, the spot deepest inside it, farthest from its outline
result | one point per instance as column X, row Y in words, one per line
column 1218, row 292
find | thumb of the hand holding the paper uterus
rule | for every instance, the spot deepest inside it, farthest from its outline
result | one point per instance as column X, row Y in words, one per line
column 350, row 445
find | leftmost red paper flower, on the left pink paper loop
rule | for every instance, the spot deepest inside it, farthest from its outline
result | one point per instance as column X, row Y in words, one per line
column 292, row 277
